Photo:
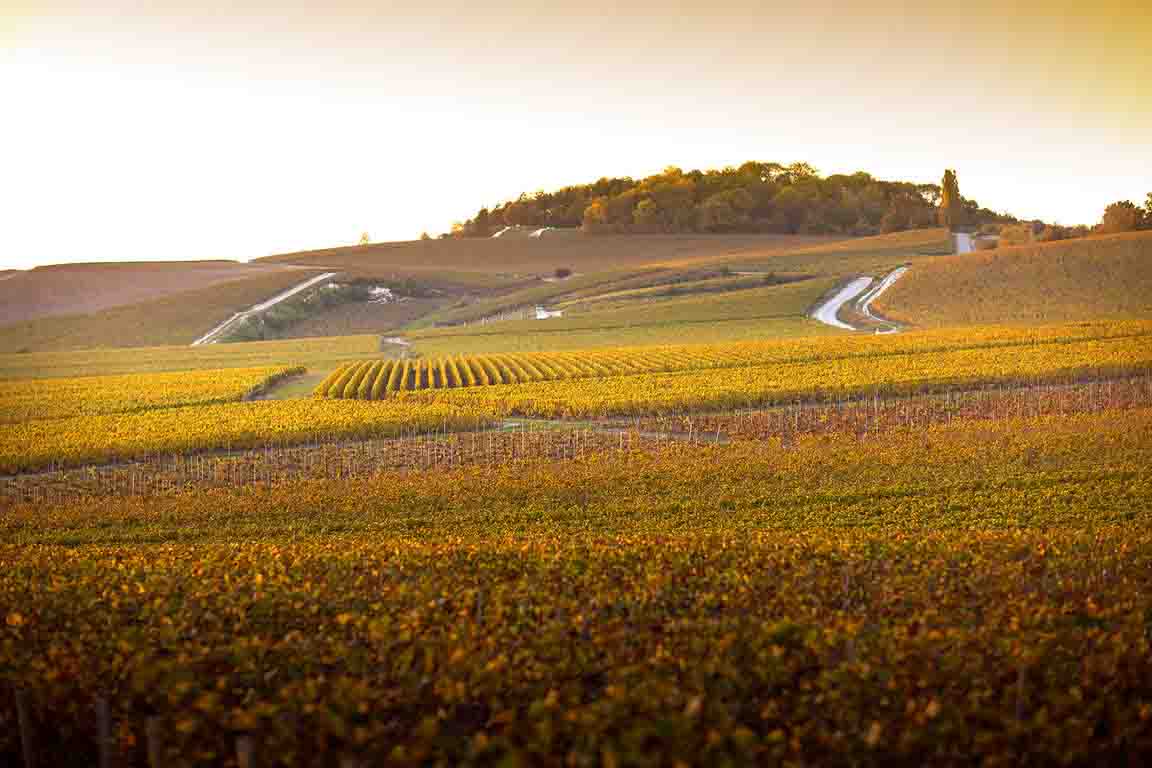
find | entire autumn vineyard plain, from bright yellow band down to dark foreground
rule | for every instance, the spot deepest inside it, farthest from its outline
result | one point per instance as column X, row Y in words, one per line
column 847, row 551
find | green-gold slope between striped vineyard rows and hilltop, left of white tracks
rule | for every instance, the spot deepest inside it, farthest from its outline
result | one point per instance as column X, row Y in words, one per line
column 740, row 295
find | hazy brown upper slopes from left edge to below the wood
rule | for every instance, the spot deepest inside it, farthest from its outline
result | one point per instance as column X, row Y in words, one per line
column 77, row 307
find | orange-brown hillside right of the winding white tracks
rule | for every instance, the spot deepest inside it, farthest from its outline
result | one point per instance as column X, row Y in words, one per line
column 1105, row 277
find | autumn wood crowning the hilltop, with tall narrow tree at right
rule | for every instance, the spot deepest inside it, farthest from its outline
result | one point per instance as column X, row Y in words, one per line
column 756, row 197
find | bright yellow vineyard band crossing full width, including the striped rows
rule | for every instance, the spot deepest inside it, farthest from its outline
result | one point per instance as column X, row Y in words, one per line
column 73, row 422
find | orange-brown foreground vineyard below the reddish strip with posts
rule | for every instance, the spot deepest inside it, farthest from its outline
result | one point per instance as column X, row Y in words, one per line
column 982, row 588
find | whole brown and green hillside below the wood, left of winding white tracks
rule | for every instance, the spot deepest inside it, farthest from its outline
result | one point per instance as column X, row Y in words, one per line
column 624, row 290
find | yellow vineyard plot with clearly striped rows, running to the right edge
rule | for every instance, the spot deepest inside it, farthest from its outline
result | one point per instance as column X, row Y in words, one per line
column 1130, row 347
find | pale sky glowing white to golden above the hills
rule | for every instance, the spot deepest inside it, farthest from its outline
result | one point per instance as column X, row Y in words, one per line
column 194, row 131
